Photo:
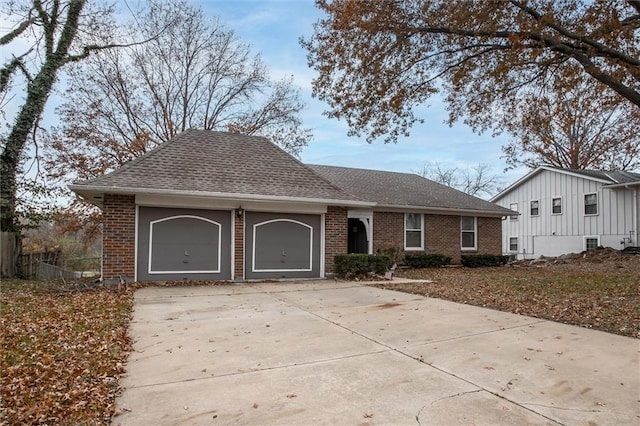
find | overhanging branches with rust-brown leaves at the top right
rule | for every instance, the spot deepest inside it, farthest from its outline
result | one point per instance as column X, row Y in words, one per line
column 379, row 59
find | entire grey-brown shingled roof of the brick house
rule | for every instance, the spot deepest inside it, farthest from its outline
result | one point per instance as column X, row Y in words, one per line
column 229, row 165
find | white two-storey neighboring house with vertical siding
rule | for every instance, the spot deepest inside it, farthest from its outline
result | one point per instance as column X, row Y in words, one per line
column 567, row 211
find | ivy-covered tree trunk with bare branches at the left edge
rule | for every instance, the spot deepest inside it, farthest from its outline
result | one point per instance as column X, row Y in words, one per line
column 57, row 33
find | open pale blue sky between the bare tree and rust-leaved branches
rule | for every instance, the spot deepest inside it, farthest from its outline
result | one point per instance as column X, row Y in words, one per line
column 273, row 28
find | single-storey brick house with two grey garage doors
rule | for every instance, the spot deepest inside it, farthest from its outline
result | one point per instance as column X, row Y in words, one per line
column 221, row 206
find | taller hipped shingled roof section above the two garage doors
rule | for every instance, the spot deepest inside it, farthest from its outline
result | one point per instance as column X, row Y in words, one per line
column 207, row 162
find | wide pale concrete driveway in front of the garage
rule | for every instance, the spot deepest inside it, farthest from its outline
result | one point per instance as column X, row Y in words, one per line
column 347, row 354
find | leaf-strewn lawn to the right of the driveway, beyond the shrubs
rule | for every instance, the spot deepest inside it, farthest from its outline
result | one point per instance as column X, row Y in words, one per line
column 603, row 296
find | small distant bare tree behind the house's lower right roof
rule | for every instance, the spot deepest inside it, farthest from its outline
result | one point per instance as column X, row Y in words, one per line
column 477, row 180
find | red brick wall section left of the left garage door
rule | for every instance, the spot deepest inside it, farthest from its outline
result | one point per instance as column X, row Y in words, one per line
column 118, row 236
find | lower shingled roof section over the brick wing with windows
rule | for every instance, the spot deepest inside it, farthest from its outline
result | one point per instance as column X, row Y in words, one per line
column 391, row 189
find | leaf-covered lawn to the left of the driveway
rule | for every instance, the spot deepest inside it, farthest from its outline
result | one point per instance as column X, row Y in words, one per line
column 62, row 352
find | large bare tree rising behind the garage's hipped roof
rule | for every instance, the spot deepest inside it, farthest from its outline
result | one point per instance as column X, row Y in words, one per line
column 196, row 74
